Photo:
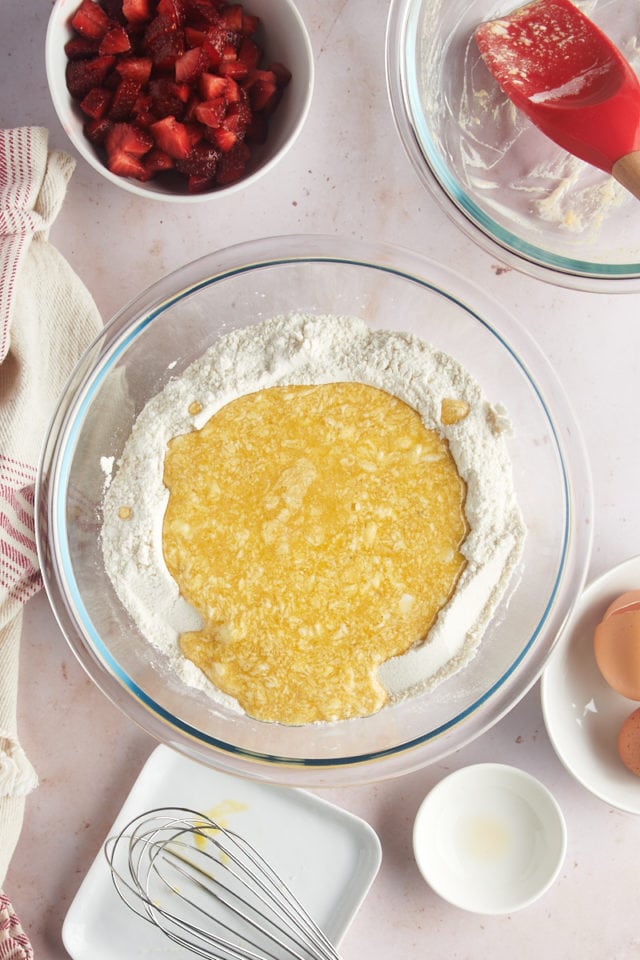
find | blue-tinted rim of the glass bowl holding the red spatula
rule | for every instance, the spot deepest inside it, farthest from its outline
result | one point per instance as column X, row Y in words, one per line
column 422, row 149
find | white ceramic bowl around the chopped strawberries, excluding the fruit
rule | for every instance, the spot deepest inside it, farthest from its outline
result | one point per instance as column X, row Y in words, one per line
column 284, row 38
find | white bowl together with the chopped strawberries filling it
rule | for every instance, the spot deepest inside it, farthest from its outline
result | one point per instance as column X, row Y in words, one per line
column 180, row 100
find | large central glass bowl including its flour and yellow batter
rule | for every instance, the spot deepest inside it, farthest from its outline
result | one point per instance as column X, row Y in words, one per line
column 219, row 353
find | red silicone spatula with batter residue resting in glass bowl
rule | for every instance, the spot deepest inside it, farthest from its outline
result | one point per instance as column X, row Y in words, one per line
column 557, row 67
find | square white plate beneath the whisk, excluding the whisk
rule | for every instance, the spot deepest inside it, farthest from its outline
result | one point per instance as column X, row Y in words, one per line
column 328, row 857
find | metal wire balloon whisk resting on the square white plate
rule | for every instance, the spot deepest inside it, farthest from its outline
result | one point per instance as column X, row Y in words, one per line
column 209, row 890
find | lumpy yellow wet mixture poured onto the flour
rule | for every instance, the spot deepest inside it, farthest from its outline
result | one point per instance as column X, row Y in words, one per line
column 317, row 530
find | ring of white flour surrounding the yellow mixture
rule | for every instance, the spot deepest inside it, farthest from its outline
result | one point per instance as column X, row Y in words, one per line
column 300, row 349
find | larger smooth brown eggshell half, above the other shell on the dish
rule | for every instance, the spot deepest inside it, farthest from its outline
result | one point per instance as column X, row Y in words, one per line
column 617, row 652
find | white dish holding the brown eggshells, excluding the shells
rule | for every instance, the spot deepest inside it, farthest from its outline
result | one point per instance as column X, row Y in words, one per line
column 582, row 714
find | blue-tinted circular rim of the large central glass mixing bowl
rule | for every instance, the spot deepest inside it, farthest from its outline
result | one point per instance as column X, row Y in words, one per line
column 60, row 524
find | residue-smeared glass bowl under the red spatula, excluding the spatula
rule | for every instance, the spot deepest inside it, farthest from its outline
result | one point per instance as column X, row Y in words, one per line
column 507, row 186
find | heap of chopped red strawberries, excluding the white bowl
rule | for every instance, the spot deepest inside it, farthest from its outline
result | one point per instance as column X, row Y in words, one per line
column 172, row 88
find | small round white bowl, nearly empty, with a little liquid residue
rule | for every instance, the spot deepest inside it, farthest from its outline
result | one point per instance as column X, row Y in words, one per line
column 489, row 838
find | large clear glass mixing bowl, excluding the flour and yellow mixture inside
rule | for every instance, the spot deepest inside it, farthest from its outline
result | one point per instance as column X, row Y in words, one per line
column 171, row 324
